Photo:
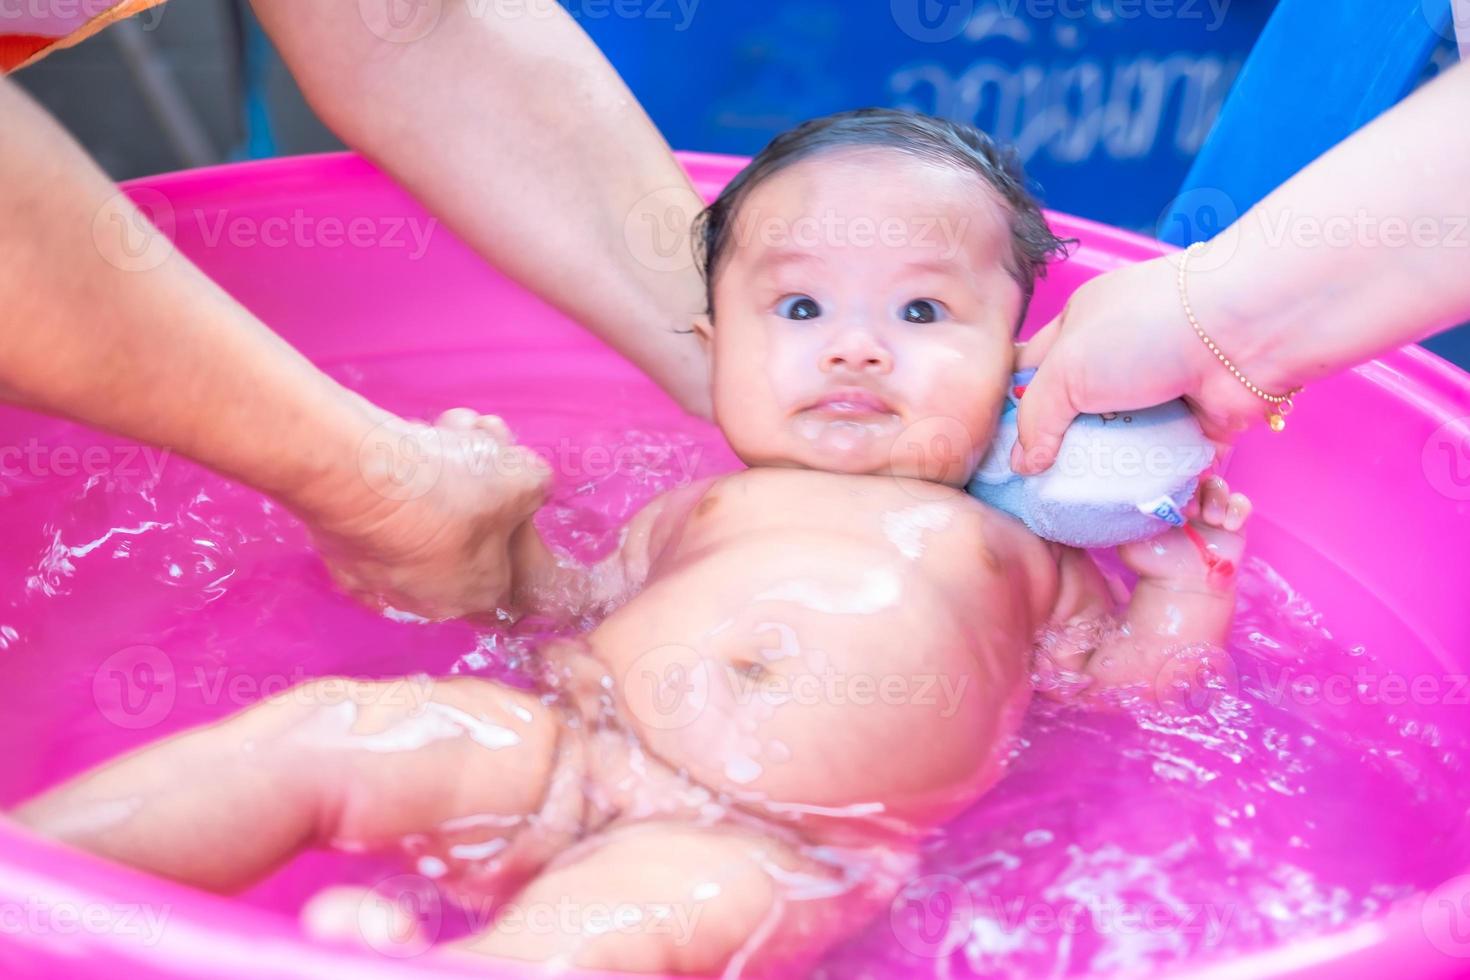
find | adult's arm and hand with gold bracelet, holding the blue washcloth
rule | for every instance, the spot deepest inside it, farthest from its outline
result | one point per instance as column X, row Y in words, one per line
column 1359, row 253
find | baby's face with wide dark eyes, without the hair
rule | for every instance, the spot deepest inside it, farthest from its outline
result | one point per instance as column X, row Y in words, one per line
column 864, row 320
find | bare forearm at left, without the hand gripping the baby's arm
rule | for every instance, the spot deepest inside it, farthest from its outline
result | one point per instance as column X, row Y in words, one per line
column 105, row 324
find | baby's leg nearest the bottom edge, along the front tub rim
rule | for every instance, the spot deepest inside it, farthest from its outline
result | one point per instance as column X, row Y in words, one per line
column 677, row 898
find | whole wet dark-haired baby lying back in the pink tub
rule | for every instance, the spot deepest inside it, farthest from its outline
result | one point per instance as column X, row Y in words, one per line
column 805, row 668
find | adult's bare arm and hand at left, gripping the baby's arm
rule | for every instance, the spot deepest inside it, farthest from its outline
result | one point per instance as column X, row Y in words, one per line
column 143, row 345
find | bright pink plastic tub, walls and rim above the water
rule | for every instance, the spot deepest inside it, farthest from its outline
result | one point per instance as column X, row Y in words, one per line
column 1363, row 505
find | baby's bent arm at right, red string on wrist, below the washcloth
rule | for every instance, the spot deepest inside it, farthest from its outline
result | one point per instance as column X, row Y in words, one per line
column 1184, row 599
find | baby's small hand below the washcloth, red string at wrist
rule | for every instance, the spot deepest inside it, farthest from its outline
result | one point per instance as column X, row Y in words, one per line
column 1206, row 552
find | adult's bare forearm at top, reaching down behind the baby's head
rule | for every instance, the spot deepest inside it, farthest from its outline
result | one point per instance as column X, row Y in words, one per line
column 509, row 126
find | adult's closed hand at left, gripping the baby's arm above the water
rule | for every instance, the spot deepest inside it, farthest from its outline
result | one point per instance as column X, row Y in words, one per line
column 429, row 528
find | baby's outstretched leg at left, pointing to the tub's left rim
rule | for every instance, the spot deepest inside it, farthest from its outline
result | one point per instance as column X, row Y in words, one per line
column 359, row 765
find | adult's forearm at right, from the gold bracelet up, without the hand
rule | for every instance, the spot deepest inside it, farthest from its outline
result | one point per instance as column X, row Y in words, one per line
column 1365, row 251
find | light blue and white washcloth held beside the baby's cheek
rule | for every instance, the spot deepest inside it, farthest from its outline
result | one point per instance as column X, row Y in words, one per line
column 1121, row 477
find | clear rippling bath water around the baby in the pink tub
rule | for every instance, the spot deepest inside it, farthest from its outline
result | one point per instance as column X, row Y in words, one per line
column 1299, row 788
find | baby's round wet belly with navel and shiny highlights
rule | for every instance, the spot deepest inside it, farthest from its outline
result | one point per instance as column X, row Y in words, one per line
column 824, row 684
